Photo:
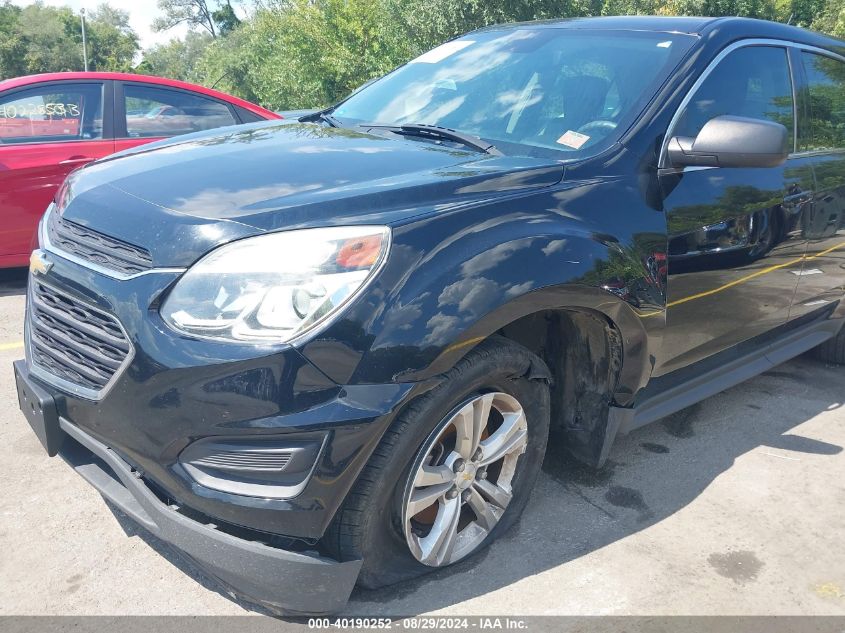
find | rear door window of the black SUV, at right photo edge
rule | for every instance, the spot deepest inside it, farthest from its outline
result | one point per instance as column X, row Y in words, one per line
column 826, row 84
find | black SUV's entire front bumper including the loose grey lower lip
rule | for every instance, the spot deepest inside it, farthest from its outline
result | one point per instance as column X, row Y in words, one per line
column 175, row 392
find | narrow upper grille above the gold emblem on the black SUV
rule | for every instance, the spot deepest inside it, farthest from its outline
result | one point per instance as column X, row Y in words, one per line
column 92, row 246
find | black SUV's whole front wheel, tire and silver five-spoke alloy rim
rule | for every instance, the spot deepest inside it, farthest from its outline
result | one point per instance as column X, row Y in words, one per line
column 454, row 470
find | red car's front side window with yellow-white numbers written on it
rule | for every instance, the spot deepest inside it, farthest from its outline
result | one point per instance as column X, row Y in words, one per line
column 52, row 114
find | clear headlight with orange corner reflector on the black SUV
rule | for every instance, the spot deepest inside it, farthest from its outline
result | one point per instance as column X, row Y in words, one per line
column 273, row 288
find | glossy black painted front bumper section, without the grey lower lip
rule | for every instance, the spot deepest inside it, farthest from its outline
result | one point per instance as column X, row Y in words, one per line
column 177, row 391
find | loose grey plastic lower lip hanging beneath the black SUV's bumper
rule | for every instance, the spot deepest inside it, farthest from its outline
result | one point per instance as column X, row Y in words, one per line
column 284, row 581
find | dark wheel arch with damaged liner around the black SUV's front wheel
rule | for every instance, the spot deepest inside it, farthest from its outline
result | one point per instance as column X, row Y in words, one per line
column 595, row 351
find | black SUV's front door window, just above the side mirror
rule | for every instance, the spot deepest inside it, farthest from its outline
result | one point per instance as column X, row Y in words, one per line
column 752, row 82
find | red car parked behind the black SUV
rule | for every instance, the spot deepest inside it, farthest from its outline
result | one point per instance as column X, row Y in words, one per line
column 51, row 124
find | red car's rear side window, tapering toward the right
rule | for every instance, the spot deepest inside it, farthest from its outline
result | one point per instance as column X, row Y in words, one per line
column 154, row 112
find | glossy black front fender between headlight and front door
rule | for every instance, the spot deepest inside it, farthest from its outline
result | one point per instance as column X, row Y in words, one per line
column 437, row 297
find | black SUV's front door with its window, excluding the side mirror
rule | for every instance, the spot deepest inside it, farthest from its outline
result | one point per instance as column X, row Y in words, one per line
column 734, row 244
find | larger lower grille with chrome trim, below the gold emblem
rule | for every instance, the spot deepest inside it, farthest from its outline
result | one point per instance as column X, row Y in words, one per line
column 73, row 341
